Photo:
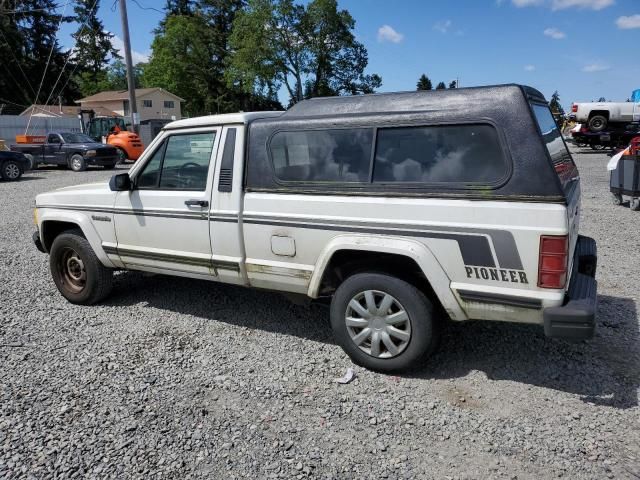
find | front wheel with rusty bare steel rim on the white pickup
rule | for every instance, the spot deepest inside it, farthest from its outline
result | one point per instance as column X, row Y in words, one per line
column 77, row 271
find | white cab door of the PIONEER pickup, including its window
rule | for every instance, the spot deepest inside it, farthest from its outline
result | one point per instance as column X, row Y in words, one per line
column 163, row 223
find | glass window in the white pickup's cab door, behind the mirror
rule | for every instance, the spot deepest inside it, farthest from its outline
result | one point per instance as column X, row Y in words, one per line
column 180, row 163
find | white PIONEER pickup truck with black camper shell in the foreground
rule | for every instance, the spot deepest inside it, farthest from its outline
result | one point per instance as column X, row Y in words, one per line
column 402, row 210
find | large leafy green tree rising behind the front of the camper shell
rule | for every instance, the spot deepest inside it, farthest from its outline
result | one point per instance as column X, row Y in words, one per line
column 311, row 50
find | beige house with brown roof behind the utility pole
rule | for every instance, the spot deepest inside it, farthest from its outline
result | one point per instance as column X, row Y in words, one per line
column 153, row 103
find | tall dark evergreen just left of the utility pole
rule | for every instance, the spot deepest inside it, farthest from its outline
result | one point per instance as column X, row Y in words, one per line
column 93, row 47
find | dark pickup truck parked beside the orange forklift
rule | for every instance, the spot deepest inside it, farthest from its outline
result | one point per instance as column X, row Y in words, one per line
column 75, row 150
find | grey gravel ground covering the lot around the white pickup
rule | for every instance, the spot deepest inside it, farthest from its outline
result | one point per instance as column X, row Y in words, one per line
column 181, row 378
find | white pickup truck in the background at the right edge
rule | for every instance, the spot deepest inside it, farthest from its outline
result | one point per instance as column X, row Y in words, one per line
column 600, row 115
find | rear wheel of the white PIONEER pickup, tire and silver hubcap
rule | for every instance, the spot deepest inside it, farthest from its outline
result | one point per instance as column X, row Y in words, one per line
column 383, row 323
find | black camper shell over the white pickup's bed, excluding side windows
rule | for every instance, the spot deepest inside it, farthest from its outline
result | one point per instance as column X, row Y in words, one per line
column 529, row 173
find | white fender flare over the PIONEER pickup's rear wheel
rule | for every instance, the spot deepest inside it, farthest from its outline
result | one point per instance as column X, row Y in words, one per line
column 402, row 257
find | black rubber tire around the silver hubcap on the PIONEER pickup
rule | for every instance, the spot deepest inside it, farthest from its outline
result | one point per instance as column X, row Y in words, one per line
column 423, row 324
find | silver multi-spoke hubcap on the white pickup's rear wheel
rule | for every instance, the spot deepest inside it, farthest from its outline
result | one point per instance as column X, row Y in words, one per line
column 378, row 324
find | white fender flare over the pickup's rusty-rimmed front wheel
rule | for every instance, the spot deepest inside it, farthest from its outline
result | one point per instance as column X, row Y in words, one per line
column 53, row 223
